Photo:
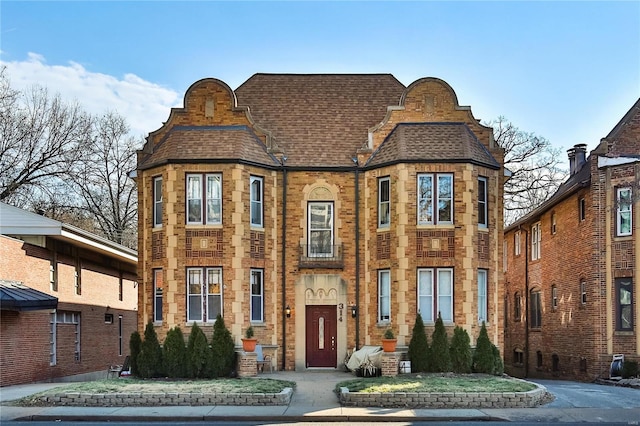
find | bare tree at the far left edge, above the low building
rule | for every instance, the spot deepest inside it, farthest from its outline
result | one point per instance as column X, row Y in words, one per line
column 40, row 139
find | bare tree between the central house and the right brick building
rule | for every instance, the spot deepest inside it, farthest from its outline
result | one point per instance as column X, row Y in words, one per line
column 535, row 167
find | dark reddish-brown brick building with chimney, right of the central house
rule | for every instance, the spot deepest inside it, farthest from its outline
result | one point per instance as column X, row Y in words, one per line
column 572, row 266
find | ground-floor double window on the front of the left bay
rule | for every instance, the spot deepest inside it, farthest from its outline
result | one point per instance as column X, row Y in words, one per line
column 204, row 294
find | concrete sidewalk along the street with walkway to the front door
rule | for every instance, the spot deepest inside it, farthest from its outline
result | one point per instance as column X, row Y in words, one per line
column 312, row 401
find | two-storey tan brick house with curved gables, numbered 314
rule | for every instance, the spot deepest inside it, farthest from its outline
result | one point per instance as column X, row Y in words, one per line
column 321, row 210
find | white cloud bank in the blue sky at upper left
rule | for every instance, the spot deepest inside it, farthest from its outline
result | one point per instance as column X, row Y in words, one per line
column 145, row 105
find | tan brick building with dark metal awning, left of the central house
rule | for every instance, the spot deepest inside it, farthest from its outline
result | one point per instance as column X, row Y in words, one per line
column 68, row 300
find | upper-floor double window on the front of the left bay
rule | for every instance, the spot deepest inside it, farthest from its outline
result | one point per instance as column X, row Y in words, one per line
column 204, row 199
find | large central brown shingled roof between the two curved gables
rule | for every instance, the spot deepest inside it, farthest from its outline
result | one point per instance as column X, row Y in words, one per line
column 319, row 119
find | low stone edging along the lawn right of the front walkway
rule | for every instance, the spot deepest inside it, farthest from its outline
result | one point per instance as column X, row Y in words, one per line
column 528, row 399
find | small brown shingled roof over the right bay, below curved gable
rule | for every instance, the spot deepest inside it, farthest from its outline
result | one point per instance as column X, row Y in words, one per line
column 437, row 142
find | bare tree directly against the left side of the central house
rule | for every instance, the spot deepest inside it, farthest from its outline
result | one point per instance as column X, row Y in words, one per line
column 102, row 179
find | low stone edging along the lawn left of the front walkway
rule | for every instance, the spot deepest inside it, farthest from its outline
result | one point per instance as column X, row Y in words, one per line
column 147, row 399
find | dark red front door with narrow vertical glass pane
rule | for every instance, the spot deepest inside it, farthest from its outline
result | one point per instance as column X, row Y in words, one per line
column 321, row 335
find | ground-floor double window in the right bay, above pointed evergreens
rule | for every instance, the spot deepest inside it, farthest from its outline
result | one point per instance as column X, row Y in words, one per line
column 435, row 294
